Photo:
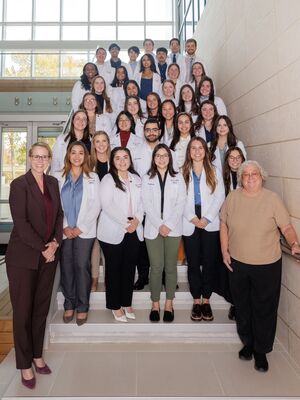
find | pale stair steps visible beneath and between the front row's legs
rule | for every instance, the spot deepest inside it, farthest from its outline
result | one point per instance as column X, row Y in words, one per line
column 101, row 327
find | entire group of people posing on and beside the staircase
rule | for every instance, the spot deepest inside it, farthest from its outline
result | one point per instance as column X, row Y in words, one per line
column 150, row 160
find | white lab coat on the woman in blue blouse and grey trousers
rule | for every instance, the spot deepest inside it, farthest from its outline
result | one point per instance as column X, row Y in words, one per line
column 90, row 205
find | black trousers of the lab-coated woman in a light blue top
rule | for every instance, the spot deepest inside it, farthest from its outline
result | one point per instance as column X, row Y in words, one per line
column 202, row 247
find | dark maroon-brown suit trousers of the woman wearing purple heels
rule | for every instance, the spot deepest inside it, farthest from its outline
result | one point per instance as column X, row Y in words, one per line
column 30, row 293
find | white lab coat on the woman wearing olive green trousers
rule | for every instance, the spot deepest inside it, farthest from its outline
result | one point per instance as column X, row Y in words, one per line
column 174, row 200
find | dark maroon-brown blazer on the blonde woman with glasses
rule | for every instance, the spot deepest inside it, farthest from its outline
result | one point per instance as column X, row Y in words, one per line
column 29, row 217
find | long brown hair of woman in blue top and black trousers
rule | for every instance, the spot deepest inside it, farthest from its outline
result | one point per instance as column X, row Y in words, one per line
column 211, row 180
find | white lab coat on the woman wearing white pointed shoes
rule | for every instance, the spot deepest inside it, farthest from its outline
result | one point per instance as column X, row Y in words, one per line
column 113, row 220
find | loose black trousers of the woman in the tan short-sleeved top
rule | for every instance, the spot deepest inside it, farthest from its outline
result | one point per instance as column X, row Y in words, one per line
column 256, row 291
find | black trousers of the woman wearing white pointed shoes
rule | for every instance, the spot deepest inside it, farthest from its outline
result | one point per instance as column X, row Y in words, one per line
column 120, row 262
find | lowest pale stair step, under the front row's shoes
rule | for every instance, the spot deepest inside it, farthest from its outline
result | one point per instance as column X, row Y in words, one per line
column 101, row 327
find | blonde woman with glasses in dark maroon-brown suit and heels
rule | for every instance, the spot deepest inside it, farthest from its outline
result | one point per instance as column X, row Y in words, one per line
column 31, row 259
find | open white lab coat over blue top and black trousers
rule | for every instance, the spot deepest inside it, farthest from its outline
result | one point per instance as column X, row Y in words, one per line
column 211, row 204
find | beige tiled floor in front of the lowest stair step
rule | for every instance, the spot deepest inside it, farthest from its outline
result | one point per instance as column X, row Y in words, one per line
column 155, row 370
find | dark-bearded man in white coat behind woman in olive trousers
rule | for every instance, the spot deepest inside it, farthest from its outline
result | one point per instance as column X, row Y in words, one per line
column 142, row 161
